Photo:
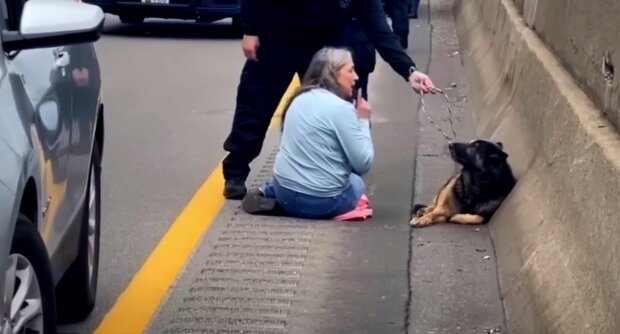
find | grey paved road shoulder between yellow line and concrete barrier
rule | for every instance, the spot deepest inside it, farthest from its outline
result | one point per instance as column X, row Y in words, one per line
column 279, row 275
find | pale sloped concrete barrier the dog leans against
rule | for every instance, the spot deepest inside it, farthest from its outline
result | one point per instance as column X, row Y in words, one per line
column 557, row 236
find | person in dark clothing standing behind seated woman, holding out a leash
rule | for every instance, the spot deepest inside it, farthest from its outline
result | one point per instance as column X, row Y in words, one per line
column 280, row 38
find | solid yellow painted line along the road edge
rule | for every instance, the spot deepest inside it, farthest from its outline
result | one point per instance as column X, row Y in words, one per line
column 137, row 304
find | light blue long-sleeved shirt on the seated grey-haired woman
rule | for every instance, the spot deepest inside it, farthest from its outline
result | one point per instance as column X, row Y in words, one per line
column 322, row 143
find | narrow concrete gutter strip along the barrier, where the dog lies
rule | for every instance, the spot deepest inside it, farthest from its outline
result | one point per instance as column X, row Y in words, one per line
column 454, row 286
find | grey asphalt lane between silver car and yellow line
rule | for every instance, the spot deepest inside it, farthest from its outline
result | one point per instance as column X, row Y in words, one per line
column 169, row 91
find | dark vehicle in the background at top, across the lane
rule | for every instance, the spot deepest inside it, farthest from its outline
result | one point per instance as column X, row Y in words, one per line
column 135, row 11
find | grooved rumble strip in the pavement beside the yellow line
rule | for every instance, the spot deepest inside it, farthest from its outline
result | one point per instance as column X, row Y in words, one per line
column 250, row 276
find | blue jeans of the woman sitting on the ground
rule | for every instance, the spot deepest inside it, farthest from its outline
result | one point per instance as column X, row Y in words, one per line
column 311, row 207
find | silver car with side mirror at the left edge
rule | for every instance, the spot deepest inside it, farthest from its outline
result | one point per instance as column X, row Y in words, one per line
column 51, row 141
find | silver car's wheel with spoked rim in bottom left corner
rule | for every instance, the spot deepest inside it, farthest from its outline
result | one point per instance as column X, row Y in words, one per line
column 29, row 287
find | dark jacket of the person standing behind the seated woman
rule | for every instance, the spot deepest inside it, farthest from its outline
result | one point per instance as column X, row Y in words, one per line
column 313, row 24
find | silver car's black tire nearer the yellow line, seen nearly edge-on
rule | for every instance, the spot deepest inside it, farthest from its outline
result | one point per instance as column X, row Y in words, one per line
column 77, row 290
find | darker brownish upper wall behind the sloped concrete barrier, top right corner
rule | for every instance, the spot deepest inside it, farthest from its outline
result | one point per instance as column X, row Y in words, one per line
column 585, row 36
